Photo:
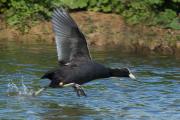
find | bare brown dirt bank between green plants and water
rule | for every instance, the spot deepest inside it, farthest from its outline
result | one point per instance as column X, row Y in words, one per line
column 105, row 30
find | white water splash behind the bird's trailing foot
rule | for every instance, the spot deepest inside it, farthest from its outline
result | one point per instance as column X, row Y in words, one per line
column 15, row 90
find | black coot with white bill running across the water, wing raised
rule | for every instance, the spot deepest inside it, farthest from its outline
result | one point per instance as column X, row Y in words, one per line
column 76, row 65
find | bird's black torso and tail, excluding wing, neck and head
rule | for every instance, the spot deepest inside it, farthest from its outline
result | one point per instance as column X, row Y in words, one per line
column 79, row 74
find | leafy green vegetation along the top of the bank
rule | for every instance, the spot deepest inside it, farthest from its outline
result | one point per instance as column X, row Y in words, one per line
column 164, row 13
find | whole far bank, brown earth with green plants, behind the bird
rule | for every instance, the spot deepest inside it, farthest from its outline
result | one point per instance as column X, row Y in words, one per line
column 134, row 25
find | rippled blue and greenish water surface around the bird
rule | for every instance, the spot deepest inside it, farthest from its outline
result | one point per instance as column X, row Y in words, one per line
column 155, row 96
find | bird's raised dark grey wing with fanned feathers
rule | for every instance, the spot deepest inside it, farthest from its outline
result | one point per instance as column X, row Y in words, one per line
column 70, row 41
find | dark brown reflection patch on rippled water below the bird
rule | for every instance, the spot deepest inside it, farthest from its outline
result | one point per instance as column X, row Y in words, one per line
column 62, row 111
